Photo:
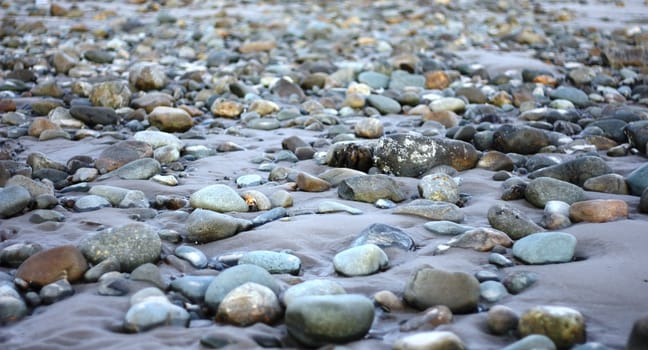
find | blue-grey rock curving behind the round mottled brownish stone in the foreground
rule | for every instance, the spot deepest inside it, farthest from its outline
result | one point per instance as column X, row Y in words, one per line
column 236, row 276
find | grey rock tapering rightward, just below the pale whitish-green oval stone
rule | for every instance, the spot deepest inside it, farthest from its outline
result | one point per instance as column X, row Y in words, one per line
column 206, row 226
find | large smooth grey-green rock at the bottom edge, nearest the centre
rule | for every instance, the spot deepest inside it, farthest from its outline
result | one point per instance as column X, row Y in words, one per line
column 323, row 319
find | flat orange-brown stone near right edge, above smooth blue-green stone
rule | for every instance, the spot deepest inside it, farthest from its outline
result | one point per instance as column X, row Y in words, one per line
column 598, row 210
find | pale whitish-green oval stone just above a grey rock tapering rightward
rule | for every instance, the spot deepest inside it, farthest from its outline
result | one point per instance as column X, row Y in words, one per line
column 220, row 198
